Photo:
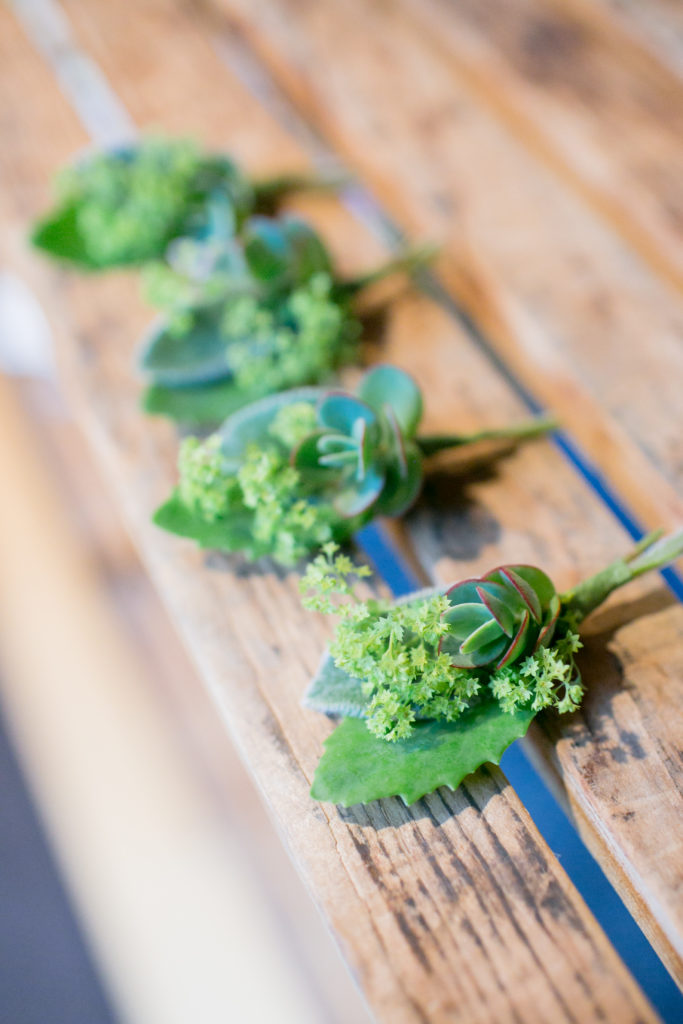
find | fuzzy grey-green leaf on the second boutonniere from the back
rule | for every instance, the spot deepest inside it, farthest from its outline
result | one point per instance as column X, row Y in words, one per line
column 195, row 356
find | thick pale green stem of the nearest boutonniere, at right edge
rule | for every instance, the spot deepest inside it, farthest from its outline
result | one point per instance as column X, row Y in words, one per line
column 653, row 552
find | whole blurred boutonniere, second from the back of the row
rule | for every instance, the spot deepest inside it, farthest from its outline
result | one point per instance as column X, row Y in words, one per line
column 260, row 314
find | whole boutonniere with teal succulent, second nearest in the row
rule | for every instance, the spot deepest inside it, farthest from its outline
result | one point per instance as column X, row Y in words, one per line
column 292, row 473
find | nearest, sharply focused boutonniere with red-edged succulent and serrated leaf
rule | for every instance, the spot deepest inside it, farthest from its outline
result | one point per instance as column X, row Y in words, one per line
column 438, row 685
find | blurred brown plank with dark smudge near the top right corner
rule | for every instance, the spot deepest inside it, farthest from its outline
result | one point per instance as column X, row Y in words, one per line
column 601, row 111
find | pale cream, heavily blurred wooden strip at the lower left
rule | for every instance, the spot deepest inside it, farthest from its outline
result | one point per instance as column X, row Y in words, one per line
column 182, row 926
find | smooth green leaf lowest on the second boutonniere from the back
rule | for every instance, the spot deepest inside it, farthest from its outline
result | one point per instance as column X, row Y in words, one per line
column 203, row 405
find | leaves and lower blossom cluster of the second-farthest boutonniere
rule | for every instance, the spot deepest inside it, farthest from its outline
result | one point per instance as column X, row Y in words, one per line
column 206, row 363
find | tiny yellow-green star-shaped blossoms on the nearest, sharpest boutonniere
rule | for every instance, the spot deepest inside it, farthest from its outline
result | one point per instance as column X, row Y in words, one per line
column 397, row 652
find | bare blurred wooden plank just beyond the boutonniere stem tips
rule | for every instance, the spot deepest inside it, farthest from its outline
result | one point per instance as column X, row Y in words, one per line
column 572, row 303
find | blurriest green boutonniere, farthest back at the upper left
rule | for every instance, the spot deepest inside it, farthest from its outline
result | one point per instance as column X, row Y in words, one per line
column 124, row 206
